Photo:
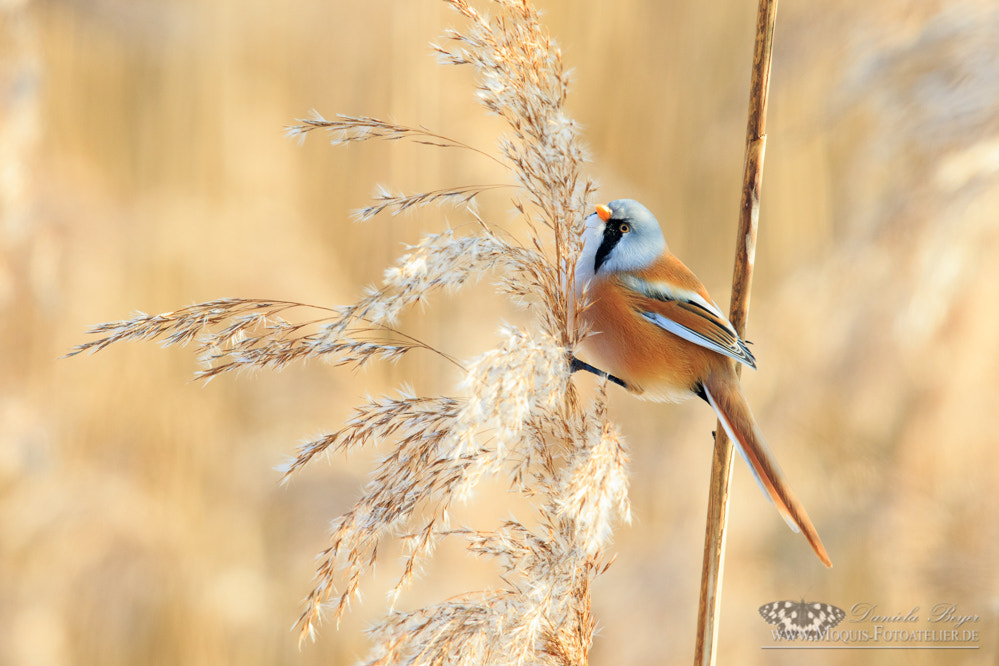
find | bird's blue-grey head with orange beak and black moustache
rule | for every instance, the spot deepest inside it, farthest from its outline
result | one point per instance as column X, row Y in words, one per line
column 621, row 236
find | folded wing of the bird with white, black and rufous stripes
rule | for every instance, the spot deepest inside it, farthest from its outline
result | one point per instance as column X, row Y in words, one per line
column 686, row 314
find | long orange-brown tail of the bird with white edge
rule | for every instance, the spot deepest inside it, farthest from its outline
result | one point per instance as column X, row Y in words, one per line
column 725, row 396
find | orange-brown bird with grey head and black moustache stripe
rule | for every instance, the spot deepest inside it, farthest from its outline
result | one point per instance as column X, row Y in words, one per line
column 654, row 330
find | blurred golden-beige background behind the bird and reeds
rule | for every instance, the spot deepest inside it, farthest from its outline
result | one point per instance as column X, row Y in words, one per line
column 143, row 166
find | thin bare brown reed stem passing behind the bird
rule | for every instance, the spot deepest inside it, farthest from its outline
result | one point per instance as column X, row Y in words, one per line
column 745, row 255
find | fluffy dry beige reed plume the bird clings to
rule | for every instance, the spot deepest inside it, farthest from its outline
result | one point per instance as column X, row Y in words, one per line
column 518, row 415
